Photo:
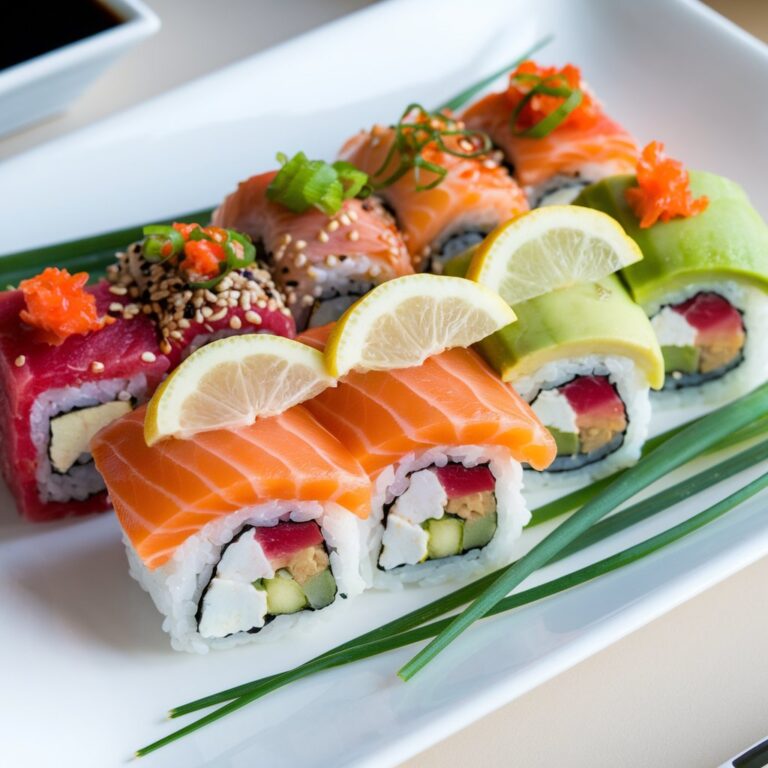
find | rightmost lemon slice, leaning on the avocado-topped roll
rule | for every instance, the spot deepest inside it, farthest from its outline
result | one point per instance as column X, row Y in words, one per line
column 550, row 248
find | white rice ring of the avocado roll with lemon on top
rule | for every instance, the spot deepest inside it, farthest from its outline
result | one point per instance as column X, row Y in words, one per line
column 632, row 387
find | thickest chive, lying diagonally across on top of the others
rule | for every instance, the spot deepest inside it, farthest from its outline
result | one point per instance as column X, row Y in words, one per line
column 685, row 445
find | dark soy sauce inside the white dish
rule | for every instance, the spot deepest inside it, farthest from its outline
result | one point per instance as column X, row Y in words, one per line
column 40, row 26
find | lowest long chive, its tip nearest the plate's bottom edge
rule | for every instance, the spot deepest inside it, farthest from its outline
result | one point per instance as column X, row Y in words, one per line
column 569, row 581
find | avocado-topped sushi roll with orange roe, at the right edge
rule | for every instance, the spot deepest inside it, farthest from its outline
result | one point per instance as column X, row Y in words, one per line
column 703, row 278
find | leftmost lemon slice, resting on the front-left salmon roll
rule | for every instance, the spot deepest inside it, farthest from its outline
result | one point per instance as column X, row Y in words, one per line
column 232, row 382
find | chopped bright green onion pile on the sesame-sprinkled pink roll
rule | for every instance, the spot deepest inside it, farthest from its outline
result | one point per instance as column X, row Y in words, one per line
column 302, row 183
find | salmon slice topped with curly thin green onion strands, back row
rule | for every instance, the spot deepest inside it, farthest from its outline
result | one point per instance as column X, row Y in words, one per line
column 476, row 194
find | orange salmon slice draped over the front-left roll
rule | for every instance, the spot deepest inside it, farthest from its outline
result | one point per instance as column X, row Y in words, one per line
column 164, row 494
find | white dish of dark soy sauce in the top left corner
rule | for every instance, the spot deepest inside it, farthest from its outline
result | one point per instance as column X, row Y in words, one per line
column 74, row 42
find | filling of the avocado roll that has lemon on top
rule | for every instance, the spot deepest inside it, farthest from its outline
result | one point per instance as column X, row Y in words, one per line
column 586, row 417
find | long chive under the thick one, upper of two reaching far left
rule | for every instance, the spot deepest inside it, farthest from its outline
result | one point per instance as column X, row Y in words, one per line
column 618, row 522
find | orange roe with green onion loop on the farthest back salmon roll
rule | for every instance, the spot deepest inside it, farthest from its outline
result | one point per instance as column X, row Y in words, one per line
column 542, row 105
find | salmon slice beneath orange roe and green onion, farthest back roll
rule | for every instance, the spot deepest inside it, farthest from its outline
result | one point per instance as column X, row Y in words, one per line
column 596, row 150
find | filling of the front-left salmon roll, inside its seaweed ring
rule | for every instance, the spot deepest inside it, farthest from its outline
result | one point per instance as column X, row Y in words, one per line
column 266, row 572
